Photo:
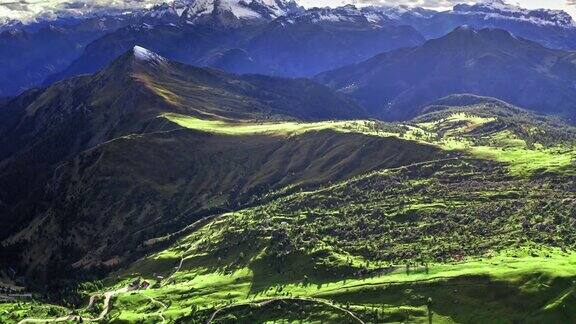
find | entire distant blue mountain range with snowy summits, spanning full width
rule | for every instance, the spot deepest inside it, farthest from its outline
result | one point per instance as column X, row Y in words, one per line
column 270, row 37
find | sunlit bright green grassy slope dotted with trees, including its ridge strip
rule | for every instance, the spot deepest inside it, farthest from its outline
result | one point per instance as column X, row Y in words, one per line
column 494, row 229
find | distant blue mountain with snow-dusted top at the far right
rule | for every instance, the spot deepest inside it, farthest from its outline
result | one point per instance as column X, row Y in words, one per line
column 551, row 28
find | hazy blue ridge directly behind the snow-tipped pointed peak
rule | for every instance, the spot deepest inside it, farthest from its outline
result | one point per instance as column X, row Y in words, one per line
column 282, row 47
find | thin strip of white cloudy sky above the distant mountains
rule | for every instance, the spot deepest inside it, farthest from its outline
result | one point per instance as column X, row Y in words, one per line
column 28, row 9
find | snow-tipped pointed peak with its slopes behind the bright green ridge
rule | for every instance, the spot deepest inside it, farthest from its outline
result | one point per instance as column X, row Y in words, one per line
column 139, row 85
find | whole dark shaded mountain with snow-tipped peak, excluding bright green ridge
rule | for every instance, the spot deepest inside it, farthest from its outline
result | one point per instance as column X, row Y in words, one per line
column 80, row 159
